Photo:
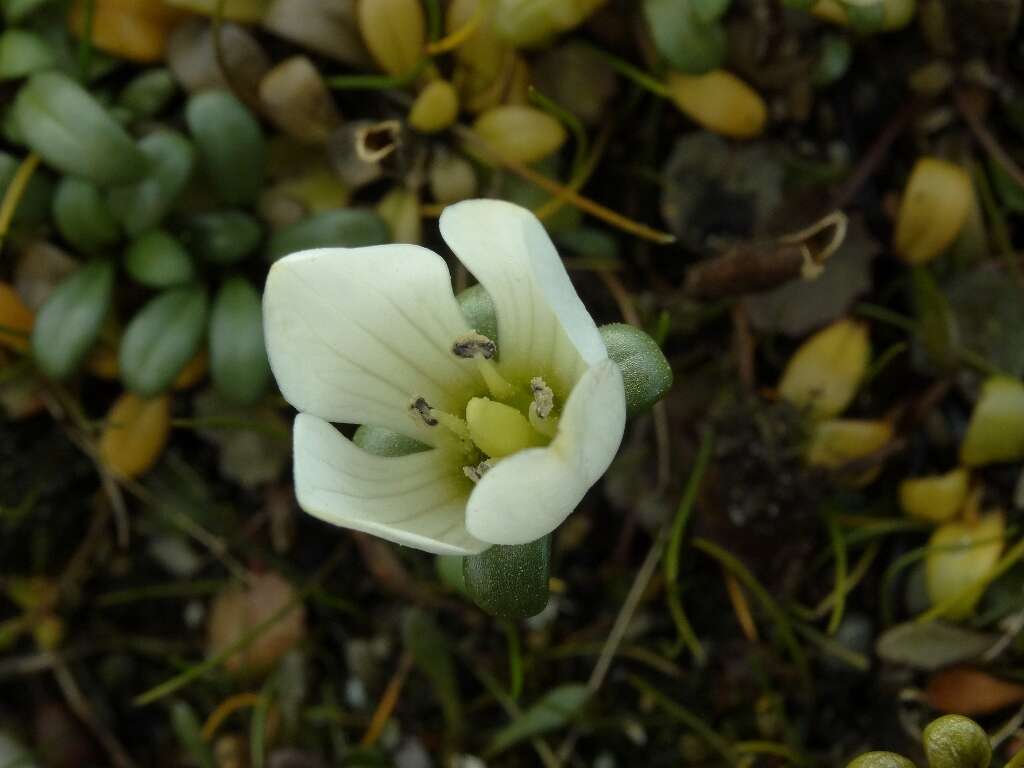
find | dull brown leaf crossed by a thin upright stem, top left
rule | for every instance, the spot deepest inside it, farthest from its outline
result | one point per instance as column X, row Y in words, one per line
column 193, row 59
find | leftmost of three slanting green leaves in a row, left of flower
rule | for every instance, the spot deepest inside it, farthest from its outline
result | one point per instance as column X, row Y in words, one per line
column 70, row 322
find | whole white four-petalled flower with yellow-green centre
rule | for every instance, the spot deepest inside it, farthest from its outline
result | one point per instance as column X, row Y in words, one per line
column 521, row 426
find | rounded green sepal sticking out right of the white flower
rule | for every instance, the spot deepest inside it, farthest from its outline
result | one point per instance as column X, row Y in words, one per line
column 647, row 374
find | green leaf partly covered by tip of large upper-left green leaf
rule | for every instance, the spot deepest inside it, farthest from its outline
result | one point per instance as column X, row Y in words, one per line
column 144, row 205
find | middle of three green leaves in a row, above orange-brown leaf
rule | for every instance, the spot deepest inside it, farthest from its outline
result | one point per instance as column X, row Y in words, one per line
column 162, row 338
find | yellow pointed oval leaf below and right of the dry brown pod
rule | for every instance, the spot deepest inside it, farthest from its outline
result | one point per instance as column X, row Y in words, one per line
column 823, row 375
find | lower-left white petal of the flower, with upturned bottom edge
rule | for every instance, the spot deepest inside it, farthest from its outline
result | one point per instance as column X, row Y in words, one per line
column 417, row 500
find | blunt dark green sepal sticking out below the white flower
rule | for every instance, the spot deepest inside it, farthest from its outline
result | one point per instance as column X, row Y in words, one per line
column 510, row 582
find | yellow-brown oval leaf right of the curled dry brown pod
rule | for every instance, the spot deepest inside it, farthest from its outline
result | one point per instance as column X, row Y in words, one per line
column 935, row 205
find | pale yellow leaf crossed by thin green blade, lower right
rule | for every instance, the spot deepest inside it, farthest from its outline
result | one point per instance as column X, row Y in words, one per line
column 960, row 557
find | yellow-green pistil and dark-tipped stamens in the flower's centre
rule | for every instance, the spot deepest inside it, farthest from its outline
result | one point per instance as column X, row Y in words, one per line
column 513, row 419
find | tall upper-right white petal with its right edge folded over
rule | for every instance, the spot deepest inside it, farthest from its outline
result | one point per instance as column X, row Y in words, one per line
column 542, row 324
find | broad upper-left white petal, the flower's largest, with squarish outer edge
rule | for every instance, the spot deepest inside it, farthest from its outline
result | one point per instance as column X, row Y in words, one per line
column 355, row 334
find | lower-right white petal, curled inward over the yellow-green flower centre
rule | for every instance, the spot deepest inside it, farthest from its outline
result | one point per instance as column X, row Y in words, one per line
column 530, row 494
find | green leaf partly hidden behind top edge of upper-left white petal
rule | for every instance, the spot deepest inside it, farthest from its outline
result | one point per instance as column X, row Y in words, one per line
column 352, row 228
